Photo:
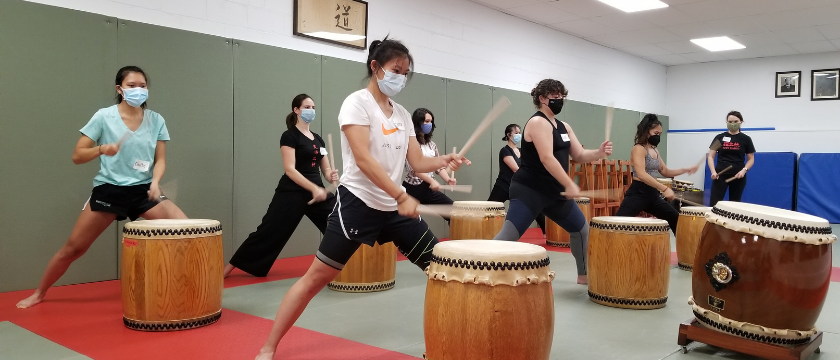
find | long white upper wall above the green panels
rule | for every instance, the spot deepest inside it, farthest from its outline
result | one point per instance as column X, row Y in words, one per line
column 456, row 39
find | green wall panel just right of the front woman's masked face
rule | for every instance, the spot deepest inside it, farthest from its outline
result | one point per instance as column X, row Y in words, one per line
column 430, row 92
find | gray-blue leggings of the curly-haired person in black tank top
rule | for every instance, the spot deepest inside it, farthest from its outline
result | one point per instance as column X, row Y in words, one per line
column 527, row 203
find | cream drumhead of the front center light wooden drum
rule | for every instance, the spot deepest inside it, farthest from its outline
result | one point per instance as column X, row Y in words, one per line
column 490, row 262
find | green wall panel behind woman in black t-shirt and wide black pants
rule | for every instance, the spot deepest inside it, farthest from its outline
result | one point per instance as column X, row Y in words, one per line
column 266, row 79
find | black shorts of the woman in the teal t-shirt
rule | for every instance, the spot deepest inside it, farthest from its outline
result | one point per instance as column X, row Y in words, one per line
column 125, row 201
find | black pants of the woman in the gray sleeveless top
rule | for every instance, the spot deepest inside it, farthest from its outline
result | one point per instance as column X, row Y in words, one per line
column 642, row 197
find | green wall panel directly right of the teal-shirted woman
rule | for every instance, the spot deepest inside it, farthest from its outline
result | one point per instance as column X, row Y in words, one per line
column 191, row 86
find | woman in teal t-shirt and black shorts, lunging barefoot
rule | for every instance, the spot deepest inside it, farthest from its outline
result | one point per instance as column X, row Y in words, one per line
column 130, row 142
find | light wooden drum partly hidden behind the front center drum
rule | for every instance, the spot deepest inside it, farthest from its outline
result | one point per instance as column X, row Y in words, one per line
column 476, row 219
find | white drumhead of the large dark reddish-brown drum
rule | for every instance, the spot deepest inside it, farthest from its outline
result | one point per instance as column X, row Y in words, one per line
column 773, row 223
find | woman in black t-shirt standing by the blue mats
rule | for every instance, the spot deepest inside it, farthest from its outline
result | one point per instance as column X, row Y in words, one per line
column 736, row 150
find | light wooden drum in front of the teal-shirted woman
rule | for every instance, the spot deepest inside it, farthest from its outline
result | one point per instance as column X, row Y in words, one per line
column 171, row 274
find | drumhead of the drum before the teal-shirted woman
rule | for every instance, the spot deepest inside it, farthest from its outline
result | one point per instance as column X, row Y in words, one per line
column 172, row 228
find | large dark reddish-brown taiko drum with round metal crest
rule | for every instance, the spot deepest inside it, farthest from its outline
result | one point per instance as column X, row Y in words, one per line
column 762, row 273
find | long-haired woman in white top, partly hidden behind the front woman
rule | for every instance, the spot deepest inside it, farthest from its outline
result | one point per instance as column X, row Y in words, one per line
column 423, row 186
